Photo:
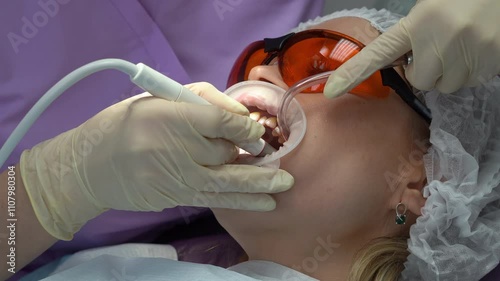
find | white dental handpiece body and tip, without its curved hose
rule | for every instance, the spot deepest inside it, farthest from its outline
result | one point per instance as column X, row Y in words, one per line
column 161, row 86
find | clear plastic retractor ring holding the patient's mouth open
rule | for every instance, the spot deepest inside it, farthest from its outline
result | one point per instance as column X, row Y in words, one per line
column 268, row 97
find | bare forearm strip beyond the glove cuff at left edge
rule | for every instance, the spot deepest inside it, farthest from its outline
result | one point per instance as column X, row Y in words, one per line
column 22, row 238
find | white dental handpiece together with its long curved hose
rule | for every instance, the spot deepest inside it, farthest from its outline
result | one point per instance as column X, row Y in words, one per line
column 142, row 75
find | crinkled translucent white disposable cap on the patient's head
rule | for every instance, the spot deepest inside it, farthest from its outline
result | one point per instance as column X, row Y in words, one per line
column 458, row 235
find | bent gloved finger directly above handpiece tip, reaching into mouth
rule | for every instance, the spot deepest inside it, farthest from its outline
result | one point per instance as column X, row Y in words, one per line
column 213, row 122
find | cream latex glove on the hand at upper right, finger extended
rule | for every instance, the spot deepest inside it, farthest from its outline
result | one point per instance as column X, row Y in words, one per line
column 455, row 43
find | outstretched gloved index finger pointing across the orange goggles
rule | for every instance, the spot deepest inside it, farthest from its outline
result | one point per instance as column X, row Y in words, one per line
column 381, row 52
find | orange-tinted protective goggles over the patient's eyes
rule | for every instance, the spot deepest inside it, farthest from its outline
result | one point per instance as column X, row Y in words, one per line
column 303, row 54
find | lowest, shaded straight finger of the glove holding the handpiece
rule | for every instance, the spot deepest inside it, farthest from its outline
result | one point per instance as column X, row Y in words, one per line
column 239, row 201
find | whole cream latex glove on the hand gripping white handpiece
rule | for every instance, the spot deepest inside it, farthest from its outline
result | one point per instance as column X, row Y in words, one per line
column 146, row 154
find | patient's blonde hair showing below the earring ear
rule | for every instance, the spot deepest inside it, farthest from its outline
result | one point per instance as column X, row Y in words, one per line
column 380, row 260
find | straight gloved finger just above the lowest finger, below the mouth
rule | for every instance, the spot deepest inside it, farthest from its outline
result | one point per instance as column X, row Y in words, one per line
column 241, row 178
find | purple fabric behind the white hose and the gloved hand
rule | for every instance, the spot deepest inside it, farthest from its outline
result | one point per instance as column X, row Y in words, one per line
column 189, row 41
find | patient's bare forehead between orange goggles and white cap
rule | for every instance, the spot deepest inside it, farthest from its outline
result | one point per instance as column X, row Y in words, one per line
column 358, row 28
